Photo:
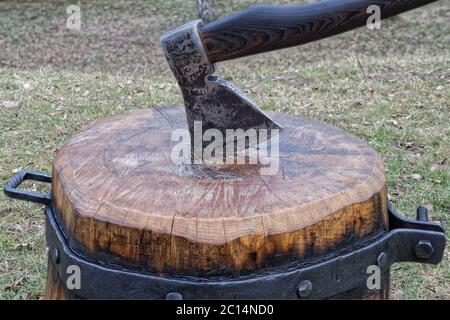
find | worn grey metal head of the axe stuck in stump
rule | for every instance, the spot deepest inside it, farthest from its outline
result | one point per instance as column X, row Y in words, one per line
column 217, row 103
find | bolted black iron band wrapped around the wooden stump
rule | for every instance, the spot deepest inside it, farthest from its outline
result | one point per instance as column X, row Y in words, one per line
column 317, row 280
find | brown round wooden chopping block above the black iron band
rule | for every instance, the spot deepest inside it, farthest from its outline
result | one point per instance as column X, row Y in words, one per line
column 118, row 193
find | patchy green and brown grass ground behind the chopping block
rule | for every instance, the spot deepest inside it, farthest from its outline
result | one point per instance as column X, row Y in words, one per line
column 390, row 87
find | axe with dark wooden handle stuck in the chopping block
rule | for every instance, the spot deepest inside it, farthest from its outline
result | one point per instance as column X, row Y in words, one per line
column 192, row 49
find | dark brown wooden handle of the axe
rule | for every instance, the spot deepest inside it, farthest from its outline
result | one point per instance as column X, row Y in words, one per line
column 268, row 27
